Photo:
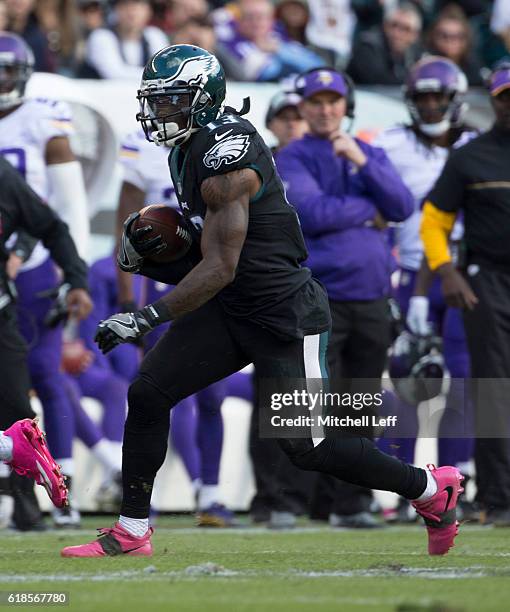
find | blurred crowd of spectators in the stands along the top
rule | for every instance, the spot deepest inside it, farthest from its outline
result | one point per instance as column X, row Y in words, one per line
column 376, row 41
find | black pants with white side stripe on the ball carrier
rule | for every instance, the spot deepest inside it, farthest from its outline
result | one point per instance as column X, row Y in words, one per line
column 206, row 346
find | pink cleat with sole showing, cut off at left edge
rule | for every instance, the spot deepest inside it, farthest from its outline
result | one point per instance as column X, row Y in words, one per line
column 31, row 457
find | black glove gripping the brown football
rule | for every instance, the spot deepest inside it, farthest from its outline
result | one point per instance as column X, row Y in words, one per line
column 133, row 248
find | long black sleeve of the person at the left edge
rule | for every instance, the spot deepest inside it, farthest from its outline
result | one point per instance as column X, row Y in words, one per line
column 27, row 211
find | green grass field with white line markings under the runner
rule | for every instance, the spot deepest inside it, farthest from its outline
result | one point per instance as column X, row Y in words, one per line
column 311, row 568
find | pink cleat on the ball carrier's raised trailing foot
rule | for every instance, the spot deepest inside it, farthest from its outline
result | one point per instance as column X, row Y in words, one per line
column 438, row 512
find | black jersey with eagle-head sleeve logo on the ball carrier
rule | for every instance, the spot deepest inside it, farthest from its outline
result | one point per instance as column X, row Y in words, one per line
column 270, row 285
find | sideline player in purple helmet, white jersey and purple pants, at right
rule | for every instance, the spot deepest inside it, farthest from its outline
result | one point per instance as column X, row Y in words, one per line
column 434, row 94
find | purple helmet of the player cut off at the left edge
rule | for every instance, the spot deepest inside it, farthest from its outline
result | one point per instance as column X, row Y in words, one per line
column 16, row 66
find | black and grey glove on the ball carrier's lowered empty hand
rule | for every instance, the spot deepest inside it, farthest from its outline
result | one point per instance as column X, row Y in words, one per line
column 121, row 328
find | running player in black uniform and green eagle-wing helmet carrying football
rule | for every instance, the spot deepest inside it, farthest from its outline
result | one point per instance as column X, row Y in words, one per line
column 246, row 300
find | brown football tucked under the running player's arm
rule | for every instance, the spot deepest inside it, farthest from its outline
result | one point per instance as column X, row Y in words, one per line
column 168, row 223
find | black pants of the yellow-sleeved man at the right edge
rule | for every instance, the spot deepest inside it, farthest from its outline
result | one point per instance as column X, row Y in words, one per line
column 488, row 335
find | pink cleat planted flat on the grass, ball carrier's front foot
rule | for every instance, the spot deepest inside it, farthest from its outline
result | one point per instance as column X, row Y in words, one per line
column 113, row 541
